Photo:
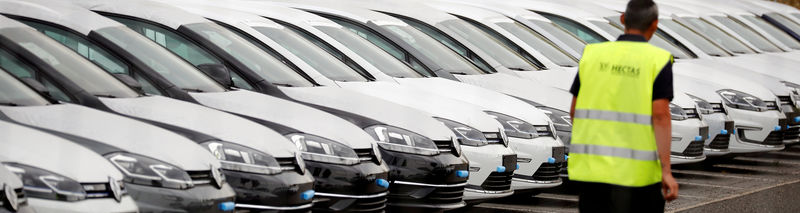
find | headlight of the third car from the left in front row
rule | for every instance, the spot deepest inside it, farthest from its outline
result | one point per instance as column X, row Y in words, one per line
column 243, row 159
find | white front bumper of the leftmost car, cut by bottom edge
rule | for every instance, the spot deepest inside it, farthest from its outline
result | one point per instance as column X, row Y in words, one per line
column 126, row 204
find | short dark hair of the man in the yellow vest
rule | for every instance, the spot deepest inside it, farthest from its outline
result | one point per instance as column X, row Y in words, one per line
column 640, row 14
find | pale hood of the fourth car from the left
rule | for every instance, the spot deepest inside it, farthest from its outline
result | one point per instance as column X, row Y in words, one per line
column 291, row 114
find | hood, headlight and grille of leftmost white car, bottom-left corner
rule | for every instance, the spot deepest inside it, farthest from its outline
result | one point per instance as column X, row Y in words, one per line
column 71, row 178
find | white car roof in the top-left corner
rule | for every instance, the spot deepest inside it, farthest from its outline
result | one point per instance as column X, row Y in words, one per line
column 71, row 16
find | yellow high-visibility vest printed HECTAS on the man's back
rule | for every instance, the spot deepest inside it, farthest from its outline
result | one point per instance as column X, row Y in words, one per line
column 612, row 135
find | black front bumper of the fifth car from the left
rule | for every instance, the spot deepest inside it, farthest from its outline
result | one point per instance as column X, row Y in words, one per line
column 425, row 181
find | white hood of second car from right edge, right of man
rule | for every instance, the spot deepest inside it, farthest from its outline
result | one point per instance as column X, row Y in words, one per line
column 730, row 76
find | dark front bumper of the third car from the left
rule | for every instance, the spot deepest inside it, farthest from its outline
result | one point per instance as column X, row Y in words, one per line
column 279, row 192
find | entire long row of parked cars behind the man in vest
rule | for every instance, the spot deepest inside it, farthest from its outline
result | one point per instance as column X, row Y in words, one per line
column 298, row 105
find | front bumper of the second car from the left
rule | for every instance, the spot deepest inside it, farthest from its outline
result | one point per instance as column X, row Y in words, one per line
column 202, row 198
